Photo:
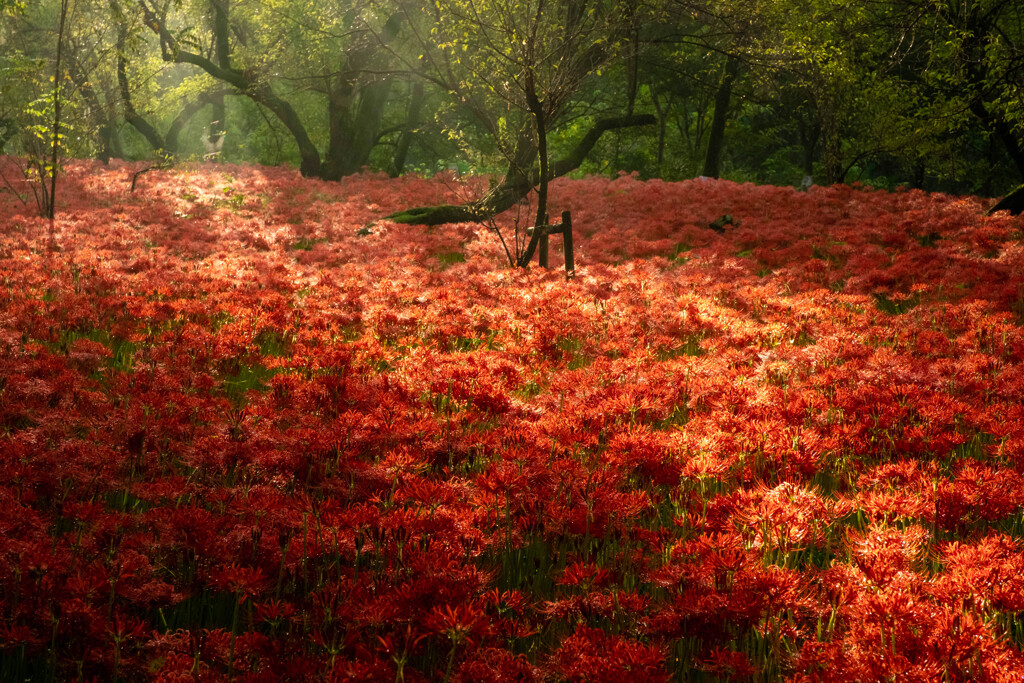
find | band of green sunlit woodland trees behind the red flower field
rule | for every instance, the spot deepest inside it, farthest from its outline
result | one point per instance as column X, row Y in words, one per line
column 925, row 94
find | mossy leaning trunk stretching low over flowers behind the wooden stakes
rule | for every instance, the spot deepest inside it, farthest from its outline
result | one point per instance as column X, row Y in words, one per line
column 518, row 184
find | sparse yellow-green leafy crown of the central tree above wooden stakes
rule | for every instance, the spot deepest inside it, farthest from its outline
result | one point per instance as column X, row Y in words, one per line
column 517, row 68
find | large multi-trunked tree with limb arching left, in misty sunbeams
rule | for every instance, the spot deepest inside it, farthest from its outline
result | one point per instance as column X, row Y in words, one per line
column 326, row 53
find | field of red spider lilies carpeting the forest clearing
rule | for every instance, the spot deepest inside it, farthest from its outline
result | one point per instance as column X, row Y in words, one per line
column 243, row 438
